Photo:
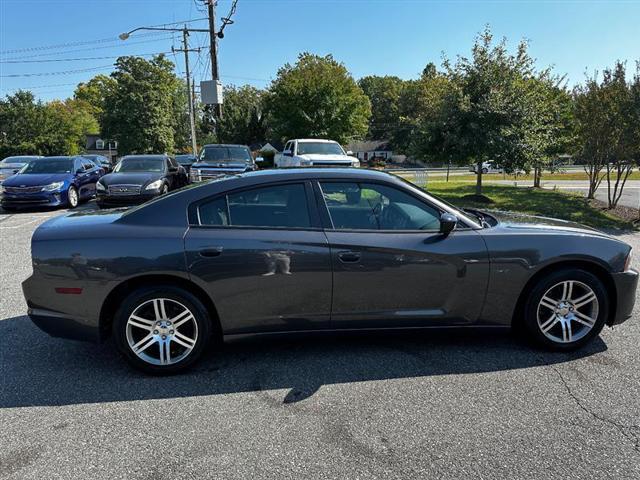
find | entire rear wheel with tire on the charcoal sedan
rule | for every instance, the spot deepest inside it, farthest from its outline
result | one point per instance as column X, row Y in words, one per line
column 161, row 330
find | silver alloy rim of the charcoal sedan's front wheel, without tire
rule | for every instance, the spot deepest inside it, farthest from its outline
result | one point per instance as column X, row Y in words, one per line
column 567, row 311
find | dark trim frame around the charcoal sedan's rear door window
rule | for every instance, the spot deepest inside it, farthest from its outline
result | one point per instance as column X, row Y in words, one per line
column 193, row 213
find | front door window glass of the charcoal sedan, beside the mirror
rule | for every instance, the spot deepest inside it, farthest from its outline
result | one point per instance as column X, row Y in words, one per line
column 376, row 207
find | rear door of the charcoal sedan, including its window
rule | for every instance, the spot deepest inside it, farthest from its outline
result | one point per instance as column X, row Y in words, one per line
column 263, row 257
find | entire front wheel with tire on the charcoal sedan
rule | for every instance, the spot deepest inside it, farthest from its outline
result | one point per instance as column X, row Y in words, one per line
column 566, row 309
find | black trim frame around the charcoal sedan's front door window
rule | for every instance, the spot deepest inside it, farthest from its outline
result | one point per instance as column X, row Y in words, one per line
column 328, row 221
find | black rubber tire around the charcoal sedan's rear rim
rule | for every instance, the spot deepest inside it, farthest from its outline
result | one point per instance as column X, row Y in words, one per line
column 143, row 295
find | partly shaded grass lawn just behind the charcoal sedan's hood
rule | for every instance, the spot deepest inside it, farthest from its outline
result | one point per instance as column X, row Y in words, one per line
column 548, row 203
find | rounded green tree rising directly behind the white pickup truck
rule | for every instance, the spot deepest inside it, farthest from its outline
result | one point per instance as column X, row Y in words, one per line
column 317, row 97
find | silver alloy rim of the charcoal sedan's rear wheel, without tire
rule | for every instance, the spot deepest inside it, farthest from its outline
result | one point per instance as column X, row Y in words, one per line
column 161, row 331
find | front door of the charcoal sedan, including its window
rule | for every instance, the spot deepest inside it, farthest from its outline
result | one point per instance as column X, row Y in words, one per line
column 392, row 266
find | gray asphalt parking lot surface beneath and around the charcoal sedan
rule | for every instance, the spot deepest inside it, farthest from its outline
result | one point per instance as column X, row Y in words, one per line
column 441, row 404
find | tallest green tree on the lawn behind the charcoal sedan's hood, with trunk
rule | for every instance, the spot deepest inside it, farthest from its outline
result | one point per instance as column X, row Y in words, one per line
column 489, row 111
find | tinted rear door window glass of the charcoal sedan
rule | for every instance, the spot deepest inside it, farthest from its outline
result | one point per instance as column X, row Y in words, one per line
column 281, row 206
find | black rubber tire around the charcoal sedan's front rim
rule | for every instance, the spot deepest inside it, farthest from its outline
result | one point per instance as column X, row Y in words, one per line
column 533, row 330
